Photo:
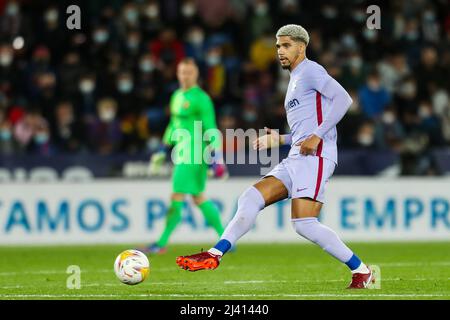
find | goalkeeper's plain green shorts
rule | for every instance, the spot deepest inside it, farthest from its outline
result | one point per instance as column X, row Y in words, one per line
column 189, row 178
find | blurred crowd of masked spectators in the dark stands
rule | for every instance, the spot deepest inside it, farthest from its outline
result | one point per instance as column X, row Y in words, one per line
column 105, row 88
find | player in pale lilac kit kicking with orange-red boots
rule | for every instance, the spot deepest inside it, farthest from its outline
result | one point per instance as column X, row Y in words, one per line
column 314, row 103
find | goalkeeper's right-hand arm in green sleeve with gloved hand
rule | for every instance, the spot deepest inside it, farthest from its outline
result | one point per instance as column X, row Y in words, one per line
column 212, row 133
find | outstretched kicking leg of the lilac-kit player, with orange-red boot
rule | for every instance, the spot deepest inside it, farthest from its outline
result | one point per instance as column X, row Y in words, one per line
column 250, row 203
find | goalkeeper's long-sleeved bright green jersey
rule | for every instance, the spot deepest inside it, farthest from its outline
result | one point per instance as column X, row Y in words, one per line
column 192, row 115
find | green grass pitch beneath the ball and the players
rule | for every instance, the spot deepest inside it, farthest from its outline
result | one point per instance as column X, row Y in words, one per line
column 253, row 272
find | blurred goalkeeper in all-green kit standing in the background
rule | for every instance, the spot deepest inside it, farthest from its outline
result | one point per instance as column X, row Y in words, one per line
column 192, row 116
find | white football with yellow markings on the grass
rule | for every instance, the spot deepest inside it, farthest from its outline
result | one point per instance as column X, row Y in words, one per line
column 131, row 267
